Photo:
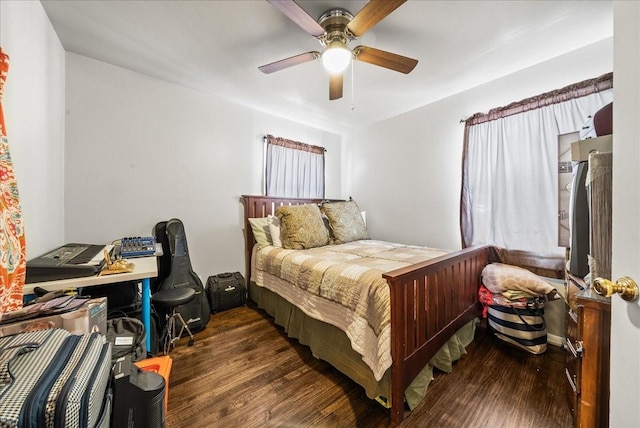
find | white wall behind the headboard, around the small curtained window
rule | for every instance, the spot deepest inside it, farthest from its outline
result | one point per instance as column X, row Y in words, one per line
column 140, row 150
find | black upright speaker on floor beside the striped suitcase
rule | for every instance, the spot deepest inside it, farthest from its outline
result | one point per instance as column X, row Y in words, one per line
column 138, row 396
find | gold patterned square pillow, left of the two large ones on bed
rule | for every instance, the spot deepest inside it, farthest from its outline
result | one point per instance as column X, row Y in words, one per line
column 301, row 227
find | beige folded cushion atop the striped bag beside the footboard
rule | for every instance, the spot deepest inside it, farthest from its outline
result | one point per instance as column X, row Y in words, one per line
column 498, row 278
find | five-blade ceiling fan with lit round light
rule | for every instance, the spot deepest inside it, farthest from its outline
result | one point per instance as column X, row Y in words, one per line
column 335, row 29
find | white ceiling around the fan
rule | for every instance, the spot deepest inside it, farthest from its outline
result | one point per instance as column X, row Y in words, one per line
column 217, row 46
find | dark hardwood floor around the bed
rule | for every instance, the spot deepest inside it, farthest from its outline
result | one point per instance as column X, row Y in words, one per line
column 243, row 371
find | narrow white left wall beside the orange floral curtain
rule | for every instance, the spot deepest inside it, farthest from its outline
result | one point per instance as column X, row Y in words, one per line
column 34, row 112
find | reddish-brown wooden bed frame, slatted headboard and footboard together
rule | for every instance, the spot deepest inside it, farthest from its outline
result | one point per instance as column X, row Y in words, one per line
column 430, row 301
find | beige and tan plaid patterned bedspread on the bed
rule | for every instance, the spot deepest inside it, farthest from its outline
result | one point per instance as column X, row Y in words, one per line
column 349, row 275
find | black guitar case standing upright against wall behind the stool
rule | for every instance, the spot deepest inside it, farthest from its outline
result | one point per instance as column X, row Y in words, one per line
column 197, row 312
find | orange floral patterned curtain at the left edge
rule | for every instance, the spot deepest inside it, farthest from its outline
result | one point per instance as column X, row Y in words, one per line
column 12, row 243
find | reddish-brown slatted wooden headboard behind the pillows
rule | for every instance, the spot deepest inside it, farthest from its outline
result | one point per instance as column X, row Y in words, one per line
column 262, row 206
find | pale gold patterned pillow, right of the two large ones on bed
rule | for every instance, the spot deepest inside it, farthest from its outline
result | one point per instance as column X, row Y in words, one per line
column 346, row 221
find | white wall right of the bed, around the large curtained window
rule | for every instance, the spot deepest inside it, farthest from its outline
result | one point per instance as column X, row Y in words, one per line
column 406, row 171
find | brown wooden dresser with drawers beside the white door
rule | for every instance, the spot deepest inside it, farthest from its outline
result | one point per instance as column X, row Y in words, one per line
column 587, row 366
